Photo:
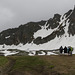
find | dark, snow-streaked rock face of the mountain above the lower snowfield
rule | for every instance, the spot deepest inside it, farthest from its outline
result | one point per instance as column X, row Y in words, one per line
column 25, row 33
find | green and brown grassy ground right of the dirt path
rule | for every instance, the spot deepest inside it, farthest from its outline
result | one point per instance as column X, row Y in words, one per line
column 63, row 65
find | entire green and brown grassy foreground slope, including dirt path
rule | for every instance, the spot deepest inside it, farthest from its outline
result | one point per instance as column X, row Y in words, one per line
column 38, row 65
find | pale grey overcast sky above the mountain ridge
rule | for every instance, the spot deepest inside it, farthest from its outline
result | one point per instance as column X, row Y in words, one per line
column 16, row 12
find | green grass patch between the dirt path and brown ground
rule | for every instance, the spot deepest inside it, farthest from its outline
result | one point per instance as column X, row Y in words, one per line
column 28, row 62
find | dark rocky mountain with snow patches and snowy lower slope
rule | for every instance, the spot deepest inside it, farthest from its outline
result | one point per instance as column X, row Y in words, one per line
column 49, row 34
